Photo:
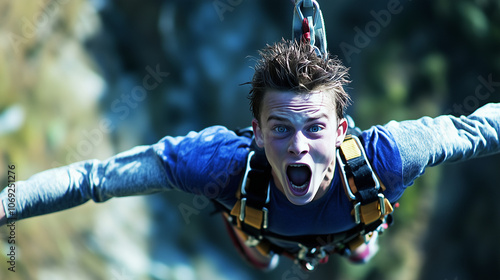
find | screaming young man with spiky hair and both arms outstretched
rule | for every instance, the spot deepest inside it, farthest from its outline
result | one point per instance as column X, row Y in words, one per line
column 298, row 102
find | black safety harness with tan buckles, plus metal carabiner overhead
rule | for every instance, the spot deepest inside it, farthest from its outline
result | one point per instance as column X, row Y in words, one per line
column 248, row 218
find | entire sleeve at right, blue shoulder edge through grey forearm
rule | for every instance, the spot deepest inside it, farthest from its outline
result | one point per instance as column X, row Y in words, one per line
column 400, row 151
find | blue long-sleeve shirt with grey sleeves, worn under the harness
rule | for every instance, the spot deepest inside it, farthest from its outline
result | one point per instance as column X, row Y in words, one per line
column 211, row 162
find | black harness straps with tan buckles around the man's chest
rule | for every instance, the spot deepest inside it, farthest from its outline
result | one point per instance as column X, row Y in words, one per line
column 249, row 214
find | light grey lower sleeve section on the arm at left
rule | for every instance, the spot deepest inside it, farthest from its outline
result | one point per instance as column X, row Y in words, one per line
column 137, row 171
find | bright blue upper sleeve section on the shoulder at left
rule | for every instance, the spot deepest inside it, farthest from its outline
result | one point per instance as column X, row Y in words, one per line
column 208, row 163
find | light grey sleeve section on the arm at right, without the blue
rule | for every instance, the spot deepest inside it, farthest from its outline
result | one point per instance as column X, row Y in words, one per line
column 432, row 141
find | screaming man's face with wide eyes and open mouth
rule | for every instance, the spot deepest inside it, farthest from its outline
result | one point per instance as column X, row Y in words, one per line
column 300, row 133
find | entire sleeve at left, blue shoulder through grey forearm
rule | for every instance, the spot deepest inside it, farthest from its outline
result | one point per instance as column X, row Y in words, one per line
column 173, row 163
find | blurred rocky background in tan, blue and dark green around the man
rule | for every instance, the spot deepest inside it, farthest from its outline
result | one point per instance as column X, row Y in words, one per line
column 82, row 79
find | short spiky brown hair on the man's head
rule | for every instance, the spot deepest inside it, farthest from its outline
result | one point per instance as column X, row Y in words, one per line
column 294, row 66
